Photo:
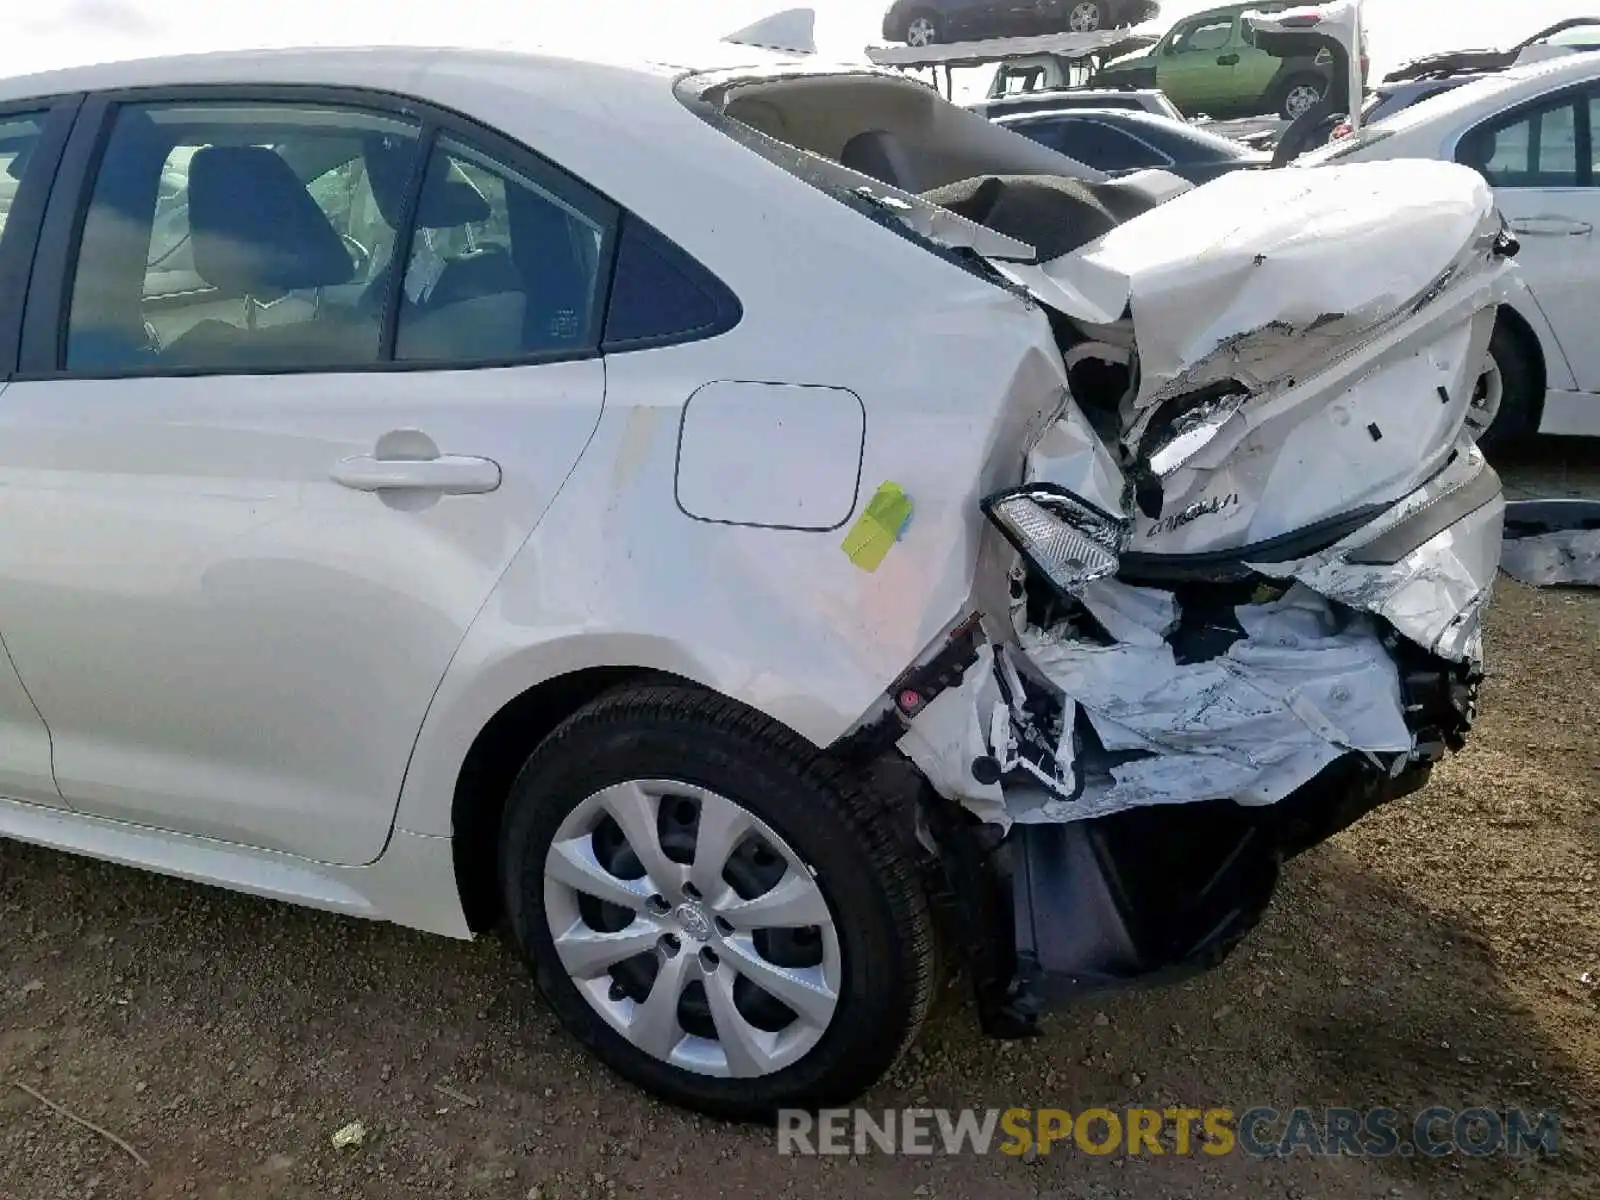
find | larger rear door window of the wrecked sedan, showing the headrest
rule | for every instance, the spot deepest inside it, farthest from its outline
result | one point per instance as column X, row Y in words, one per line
column 239, row 236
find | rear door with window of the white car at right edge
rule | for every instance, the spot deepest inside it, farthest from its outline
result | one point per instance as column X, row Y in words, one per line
column 1542, row 164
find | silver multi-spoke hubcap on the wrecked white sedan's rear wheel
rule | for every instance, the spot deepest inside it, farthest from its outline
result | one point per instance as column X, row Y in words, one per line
column 692, row 929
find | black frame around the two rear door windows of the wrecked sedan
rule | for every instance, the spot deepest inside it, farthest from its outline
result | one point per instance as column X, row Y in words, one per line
column 44, row 337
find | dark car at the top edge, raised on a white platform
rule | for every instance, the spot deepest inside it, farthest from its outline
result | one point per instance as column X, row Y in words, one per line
column 922, row 23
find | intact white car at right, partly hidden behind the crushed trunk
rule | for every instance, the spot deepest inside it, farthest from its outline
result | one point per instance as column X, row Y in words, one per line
column 1532, row 134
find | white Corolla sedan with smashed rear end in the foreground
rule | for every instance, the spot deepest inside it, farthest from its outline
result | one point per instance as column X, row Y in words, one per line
column 745, row 529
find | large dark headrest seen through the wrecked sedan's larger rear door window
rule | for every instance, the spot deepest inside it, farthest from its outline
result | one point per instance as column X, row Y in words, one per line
column 255, row 228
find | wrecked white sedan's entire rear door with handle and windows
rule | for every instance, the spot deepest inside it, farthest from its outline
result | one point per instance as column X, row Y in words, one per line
column 250, row 519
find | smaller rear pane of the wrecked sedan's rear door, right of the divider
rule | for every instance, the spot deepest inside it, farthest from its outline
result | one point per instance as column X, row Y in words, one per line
column 505, row 263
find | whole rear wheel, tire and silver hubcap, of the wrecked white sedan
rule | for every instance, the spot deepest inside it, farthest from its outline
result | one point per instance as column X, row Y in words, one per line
column 820, row 831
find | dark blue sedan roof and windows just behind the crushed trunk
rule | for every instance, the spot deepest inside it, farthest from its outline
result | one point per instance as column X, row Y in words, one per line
column 1118, row 140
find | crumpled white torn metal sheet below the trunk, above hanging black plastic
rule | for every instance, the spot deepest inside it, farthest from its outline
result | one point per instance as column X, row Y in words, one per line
column 1302, row 687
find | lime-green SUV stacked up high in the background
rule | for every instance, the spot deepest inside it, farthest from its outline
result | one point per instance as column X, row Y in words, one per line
column 1207, row 65
